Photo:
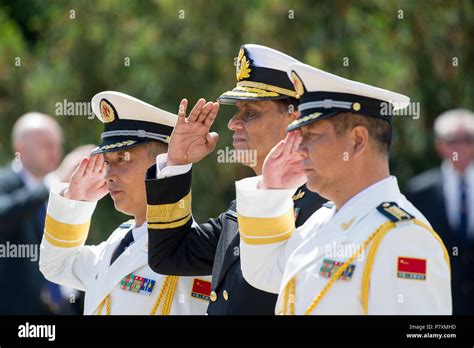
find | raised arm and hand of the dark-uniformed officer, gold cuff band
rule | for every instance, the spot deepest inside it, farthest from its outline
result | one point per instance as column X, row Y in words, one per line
column 177, row 245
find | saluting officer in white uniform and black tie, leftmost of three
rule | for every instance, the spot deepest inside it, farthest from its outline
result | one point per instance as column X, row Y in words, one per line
column 115, row 274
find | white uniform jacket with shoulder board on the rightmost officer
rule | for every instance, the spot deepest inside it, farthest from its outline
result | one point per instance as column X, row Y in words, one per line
column 390, row 260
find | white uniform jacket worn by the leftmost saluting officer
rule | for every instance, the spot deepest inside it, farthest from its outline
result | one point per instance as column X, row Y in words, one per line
column 128, row 286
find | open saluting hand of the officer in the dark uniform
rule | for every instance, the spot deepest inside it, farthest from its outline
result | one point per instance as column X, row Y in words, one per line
column 191, row 140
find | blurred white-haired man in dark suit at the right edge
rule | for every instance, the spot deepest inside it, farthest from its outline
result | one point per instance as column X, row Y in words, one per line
column 445, row 195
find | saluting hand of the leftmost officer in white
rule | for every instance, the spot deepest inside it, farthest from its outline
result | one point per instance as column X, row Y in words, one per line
column 88, row 181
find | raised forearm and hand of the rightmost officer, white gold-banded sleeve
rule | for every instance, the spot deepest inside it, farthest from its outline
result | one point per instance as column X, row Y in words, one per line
column 265, row 215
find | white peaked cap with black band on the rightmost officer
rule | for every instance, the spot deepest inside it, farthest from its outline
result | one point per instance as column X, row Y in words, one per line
column 322, row 95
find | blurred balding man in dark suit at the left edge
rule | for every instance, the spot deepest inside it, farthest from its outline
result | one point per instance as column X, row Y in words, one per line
column 37, row 142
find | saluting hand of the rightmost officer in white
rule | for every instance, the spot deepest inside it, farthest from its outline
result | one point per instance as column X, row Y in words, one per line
column 283, row 166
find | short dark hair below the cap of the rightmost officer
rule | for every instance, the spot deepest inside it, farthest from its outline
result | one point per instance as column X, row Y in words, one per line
column 379, row 130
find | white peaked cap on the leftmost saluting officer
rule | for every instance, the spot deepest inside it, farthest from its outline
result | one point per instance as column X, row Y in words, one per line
column 129, row 121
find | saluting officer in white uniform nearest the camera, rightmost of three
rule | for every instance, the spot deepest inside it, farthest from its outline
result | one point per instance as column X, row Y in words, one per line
column 367, row 251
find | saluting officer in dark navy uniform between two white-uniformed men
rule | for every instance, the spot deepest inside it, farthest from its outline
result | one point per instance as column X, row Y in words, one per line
column 265, row 100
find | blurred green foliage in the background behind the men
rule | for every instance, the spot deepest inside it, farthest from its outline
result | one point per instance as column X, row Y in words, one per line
column 186, row 49
